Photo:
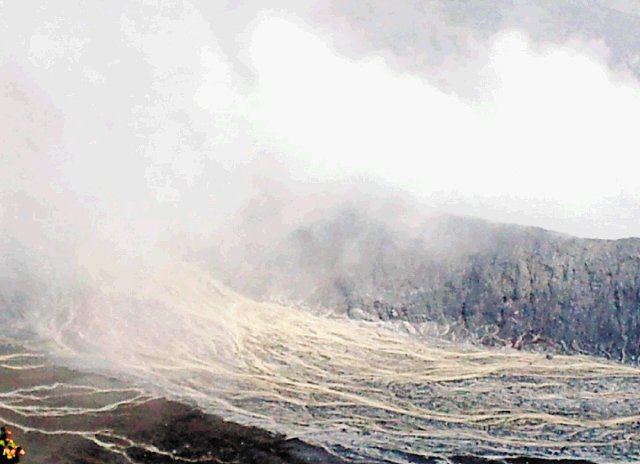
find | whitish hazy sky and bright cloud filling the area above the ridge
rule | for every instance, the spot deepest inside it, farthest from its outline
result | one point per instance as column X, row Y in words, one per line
column 136, row 117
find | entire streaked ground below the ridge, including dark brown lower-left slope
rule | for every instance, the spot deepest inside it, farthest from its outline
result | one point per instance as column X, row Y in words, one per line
column 362, row 391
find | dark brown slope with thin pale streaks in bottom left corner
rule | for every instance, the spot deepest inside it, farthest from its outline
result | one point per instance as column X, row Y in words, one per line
column 65, row 416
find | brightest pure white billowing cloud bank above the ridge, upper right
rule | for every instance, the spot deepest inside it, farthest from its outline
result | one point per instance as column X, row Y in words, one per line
column 554, row 128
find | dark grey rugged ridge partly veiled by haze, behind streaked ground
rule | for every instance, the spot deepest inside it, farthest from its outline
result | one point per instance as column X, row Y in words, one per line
column 504, row 284
